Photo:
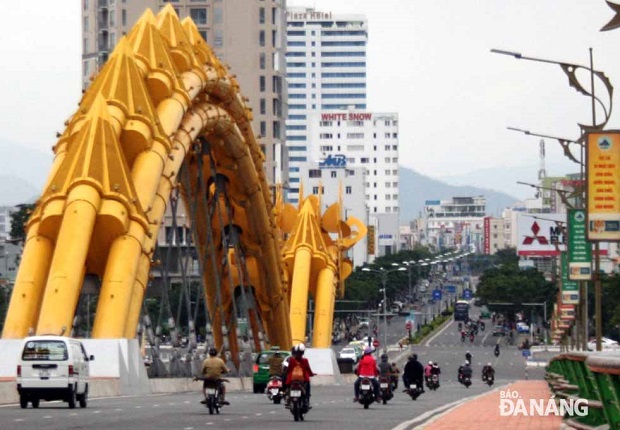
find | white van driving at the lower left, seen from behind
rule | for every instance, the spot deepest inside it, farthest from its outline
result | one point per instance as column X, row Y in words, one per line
column 53, row 368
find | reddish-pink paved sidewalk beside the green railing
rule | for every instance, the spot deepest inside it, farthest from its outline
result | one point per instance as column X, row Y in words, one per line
column 483, row 412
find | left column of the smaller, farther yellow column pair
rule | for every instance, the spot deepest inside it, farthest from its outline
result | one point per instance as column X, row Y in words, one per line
column 299, row 293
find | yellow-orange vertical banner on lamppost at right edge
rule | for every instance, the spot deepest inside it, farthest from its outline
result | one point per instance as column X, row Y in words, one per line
column 603, row 186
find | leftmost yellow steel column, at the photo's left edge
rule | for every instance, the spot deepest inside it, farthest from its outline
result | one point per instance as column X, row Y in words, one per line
column 29, row 286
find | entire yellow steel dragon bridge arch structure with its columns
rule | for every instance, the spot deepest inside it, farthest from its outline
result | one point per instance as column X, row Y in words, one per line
column 164, row 124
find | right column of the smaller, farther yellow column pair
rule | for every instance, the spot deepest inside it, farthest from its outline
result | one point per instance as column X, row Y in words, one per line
column 323, row 310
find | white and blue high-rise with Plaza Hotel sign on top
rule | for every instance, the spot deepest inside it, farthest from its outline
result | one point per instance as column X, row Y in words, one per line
column 326, row 70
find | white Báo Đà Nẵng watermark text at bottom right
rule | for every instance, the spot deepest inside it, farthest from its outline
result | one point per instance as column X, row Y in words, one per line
column 511, row 404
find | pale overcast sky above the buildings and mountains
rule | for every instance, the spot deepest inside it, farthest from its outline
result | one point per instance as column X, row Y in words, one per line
column 428, row 60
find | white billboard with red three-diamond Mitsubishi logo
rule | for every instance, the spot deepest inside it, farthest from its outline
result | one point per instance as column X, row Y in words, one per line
column 541, row 234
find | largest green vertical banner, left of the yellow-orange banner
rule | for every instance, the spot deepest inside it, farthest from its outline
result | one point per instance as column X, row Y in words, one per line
column 579, row 249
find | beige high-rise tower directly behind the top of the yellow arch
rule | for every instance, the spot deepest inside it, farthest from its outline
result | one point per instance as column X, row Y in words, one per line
column 248, row 35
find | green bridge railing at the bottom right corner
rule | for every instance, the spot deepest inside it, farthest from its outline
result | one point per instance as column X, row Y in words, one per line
column 594, row 377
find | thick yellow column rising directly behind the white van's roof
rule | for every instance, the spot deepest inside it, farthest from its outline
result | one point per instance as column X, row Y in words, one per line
column 66, row 273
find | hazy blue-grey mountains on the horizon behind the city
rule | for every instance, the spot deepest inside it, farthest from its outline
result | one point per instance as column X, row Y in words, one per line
column 25, row 171
